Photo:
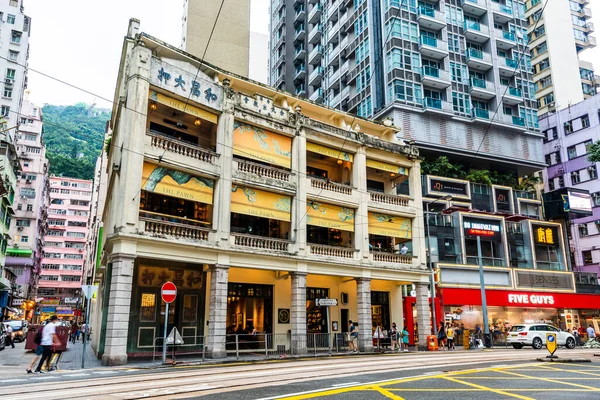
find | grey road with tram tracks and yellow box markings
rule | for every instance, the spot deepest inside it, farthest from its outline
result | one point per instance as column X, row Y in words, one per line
column 490, row 374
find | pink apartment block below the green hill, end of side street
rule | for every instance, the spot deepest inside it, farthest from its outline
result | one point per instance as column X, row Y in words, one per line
column 64, row 246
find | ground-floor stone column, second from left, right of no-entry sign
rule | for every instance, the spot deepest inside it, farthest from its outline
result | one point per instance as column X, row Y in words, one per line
column 217, row 314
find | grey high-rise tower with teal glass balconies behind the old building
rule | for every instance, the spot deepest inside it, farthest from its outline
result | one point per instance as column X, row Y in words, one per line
column 455, row 76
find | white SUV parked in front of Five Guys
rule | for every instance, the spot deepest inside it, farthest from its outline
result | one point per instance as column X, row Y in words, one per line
column 534, row 335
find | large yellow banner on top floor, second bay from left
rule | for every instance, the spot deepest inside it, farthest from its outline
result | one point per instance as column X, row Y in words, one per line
column 258, row 144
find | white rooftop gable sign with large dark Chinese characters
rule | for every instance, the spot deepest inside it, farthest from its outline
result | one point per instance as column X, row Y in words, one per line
column 185, row 80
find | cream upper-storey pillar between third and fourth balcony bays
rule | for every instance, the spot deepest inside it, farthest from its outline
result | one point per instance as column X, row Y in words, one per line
column 361, row 217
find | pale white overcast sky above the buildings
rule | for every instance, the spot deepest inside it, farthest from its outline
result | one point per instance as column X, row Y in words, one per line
column 80, row 41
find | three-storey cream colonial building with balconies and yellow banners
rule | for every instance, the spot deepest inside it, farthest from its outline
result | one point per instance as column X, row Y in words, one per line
column 256, row 204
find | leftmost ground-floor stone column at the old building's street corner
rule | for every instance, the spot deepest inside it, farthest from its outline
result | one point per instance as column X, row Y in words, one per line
column 119, row 306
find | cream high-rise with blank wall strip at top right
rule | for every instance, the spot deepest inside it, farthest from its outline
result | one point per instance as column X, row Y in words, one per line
column 559, row 30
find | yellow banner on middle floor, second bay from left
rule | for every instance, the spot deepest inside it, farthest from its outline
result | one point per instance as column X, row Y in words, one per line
column 259, row 203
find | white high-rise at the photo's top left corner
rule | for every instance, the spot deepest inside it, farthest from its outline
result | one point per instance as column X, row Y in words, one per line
column 14, row 47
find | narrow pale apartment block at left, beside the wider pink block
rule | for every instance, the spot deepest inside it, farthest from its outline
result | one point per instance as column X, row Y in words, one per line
column 29, row 222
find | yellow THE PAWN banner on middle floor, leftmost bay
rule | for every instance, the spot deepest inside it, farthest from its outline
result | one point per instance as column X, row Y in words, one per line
column 177, row 184
